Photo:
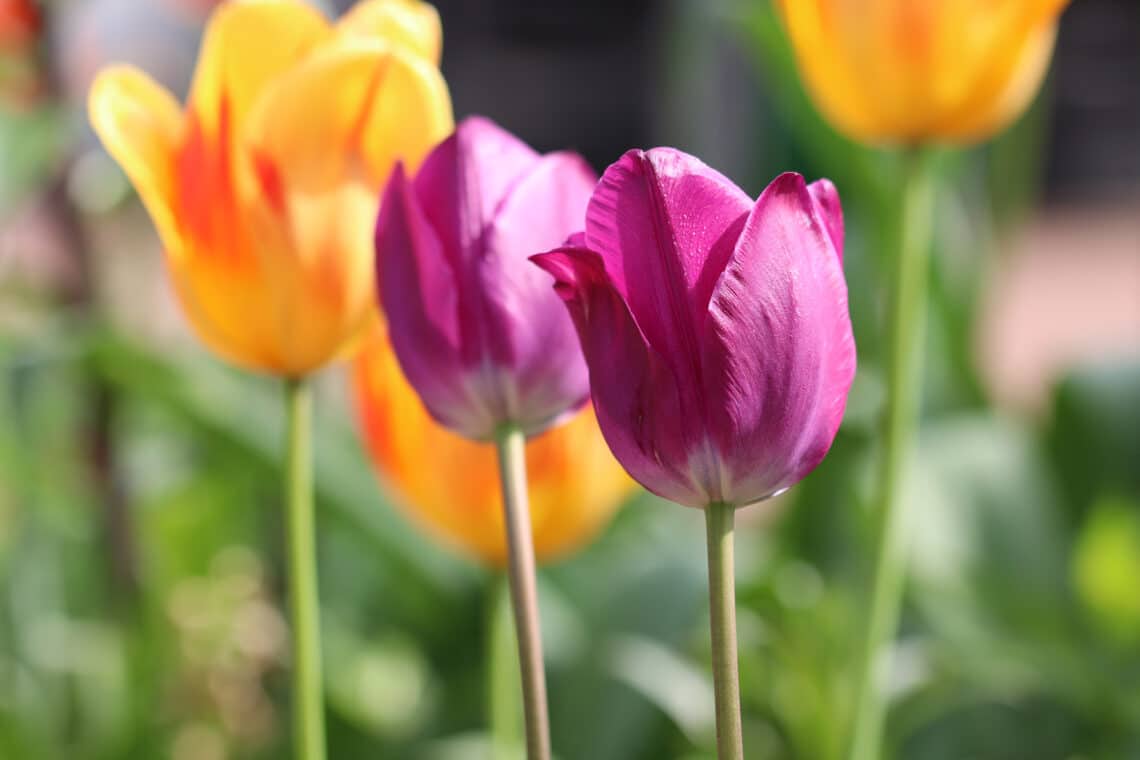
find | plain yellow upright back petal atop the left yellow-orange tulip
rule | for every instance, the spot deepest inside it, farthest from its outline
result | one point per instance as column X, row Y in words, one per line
column 248, row 44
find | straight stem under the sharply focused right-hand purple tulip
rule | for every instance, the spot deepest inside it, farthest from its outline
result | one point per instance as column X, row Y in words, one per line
column 719, row 521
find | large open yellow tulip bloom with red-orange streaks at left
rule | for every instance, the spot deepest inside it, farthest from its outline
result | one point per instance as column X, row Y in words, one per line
column 265, row 190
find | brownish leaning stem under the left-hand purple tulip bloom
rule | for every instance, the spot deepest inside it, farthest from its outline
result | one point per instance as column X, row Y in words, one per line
column 511, row 445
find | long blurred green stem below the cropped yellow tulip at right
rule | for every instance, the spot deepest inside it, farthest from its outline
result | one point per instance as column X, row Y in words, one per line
column 905, row 390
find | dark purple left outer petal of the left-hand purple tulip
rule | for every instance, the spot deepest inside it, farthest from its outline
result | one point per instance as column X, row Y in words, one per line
column 419, row 295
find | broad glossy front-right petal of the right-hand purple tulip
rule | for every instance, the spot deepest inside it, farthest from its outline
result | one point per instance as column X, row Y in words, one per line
column 779, row 356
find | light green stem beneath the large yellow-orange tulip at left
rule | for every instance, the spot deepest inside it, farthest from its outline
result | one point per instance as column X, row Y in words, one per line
column 308, row 704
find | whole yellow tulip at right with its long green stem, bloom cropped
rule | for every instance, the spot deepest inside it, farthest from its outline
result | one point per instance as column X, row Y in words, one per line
column 913, row 73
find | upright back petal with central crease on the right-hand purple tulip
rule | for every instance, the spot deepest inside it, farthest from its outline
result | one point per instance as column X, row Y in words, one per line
column 670, row 223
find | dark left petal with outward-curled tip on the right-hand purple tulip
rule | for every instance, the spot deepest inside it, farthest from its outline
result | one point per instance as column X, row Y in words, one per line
column 636, row 395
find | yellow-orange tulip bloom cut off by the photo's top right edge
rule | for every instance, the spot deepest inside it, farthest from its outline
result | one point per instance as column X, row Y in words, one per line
column 921, row 71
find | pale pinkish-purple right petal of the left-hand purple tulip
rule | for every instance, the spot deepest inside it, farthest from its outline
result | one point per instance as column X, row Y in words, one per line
column 530, row 330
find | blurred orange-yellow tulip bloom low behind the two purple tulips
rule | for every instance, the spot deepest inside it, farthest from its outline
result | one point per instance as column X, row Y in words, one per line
column 451, row 485
